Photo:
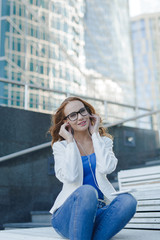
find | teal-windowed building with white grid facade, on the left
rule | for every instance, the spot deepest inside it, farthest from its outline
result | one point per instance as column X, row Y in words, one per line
column 41, row 45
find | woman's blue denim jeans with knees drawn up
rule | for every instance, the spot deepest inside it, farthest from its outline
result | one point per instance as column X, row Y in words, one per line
column 80, row 218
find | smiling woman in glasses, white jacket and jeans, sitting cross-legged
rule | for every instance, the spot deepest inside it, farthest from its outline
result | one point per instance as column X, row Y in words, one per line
column 85, row 208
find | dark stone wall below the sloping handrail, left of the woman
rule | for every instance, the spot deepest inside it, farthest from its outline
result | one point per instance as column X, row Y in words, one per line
column 26, row 185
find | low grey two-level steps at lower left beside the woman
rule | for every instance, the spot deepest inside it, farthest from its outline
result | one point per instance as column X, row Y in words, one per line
column 38, row 219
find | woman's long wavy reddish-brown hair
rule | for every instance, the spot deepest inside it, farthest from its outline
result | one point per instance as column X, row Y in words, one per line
column 58, row 119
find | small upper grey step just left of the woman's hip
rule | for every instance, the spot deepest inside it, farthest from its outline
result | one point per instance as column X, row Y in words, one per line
column 40, row 217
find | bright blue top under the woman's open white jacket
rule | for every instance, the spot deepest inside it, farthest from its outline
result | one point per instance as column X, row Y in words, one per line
column 87, row 174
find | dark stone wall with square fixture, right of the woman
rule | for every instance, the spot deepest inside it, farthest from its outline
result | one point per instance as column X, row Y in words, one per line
column 134, row 147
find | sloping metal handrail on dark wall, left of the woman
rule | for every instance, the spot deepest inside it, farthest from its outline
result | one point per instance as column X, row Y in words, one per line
column 22, row 152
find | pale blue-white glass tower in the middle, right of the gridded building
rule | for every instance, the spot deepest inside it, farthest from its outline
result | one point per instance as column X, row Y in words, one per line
column 108, row 47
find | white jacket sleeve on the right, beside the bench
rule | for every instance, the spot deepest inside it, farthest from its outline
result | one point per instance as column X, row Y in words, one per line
column 106, row 161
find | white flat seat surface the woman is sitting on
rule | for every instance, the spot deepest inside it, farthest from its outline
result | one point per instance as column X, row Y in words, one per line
column 47, row 233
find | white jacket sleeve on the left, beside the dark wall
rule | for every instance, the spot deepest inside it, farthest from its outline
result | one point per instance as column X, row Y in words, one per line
column 66, row 167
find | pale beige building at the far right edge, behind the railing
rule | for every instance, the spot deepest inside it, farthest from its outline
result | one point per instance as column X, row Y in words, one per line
column 145, row 37
